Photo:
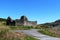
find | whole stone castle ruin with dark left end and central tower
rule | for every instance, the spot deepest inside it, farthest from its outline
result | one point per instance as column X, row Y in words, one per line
column 23, row 21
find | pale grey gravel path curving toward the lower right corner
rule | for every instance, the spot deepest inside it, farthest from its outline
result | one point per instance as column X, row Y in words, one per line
column 37, row 35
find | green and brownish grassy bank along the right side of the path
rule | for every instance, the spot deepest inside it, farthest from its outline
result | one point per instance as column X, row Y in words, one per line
column 50, row 32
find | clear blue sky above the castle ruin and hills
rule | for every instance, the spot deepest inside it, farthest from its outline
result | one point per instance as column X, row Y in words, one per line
column 41, row 10
